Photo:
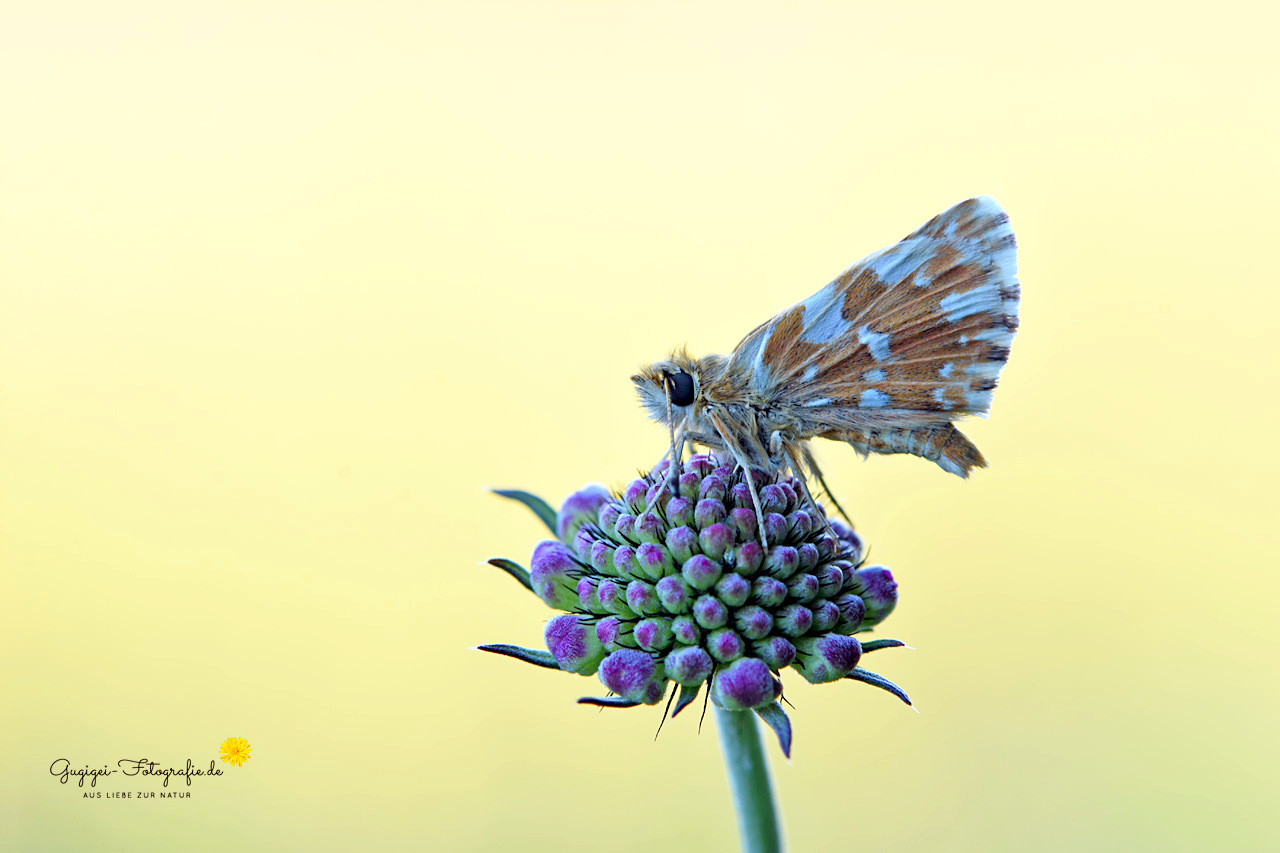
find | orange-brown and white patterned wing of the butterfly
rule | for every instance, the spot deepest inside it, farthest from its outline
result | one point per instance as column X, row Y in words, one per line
column 913, row 335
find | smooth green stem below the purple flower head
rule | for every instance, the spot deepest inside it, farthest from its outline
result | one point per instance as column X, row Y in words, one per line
column 749, row 781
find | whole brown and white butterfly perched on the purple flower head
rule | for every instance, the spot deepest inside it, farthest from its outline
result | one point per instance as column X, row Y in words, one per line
column 884, row 358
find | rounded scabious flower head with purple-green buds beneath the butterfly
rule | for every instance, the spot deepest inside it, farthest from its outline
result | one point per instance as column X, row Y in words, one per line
column 670, row 583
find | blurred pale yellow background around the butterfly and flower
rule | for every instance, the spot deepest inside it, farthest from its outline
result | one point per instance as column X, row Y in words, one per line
column 286, row 286
